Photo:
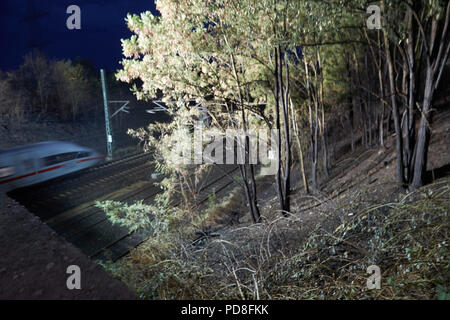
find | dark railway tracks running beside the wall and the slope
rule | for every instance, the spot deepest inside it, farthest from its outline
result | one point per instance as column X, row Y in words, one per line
column 67, row 204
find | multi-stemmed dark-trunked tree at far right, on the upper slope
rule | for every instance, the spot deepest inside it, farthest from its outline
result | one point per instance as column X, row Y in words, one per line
column 423, row 39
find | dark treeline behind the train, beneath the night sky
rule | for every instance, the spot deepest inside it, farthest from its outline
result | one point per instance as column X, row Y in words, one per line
column 42, row 89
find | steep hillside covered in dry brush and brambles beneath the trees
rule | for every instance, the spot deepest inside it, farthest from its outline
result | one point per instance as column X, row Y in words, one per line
column 323, row 248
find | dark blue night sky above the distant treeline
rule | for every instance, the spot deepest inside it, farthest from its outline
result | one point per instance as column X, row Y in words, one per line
column 102, row 27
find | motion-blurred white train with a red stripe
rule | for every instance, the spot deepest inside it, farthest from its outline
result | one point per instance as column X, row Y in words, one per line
column 27, row 165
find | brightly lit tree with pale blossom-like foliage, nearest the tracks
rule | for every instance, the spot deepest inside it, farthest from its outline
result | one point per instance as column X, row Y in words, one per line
column 193, row 55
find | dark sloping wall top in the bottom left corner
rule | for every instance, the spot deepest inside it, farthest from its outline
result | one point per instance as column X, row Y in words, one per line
column 35, row 262
